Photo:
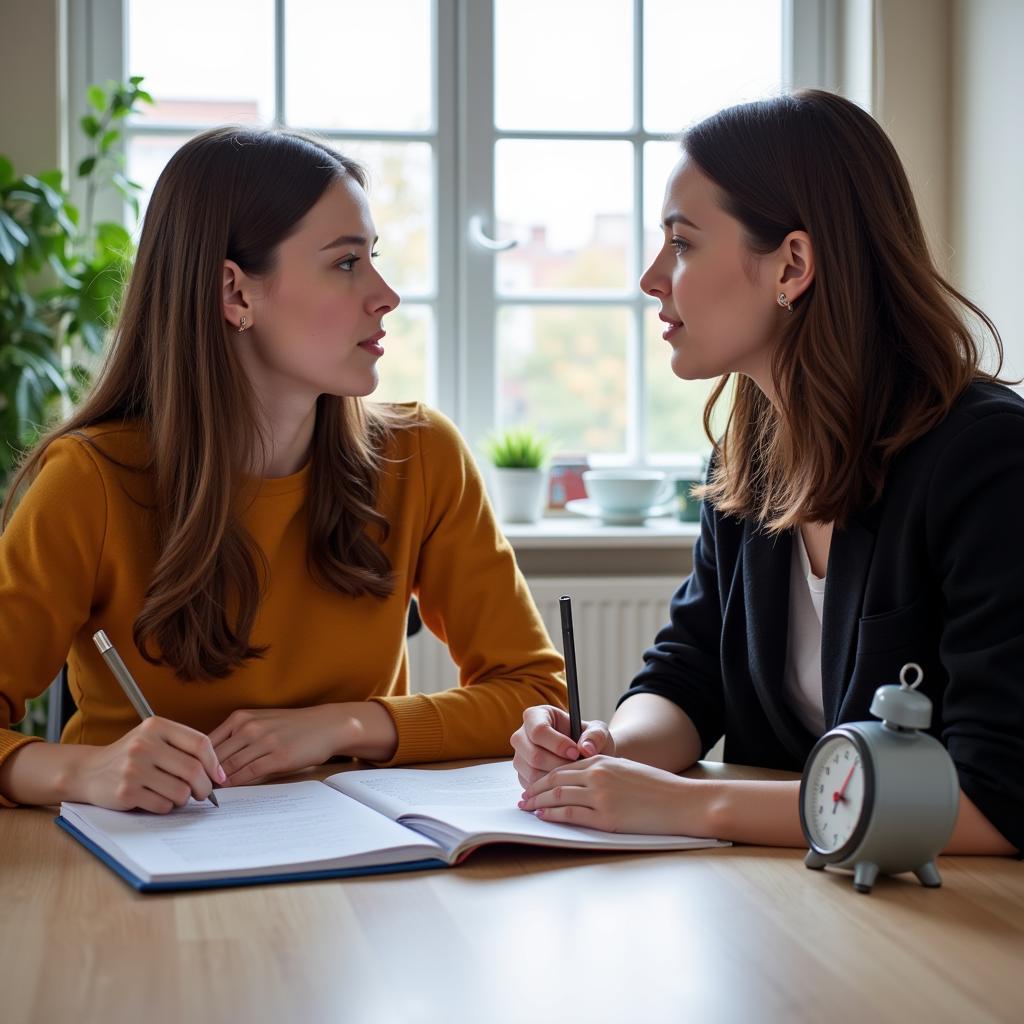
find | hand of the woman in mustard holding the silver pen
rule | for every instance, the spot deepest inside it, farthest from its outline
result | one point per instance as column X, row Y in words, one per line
column 156, row 767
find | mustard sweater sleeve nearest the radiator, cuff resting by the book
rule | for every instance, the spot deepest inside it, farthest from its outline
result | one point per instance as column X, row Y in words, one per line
column 474, row 598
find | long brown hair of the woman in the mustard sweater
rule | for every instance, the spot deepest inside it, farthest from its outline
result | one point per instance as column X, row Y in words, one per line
column 235, row 194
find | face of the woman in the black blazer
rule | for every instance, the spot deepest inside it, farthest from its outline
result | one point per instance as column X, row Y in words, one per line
column 718, row 302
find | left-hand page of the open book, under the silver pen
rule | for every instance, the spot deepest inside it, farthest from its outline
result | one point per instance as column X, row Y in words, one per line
column 257, row 829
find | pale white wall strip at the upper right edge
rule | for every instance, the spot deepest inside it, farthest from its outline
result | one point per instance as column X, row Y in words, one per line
column 988, row 164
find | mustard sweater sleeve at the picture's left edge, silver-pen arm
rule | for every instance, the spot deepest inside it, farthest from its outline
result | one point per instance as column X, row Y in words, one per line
column 50, row 558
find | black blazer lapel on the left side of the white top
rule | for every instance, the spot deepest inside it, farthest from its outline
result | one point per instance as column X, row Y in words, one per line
column 766, row 593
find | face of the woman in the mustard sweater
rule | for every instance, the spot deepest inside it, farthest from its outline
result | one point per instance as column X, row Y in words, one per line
column 317, row 318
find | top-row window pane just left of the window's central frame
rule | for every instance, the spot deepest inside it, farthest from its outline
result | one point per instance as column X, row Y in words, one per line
column 355, row 65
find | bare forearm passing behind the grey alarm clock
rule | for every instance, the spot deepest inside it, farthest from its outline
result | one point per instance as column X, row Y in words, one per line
column 767, row 815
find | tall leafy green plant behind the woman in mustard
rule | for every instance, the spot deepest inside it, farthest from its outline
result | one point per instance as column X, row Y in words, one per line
column 61, row 277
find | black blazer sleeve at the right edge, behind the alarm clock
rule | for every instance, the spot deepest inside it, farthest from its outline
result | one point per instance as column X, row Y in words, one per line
column 975, row 502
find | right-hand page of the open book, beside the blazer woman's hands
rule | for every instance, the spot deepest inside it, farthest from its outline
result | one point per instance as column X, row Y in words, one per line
column 480, row 803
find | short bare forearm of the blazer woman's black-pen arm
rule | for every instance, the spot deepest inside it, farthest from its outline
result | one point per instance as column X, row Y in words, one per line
column 653, row 731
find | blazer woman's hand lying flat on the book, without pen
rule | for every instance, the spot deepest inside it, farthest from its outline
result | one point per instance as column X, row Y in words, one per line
column 616, row 795
